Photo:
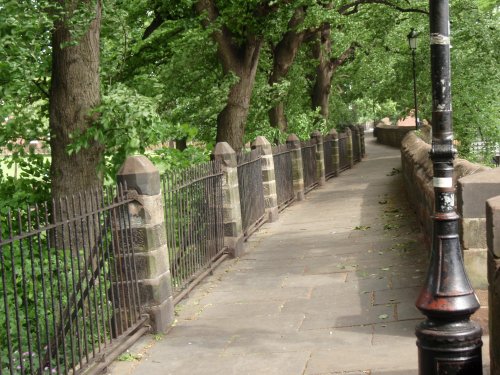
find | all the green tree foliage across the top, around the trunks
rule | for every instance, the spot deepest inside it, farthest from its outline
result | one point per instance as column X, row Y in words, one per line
column 171, row 85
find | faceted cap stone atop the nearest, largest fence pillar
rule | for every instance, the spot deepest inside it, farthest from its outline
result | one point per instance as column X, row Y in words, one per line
column 139, row 174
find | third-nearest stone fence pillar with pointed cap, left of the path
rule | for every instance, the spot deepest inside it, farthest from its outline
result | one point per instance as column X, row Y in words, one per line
column 268, row 176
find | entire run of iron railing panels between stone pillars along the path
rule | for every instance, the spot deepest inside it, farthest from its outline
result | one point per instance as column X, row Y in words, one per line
column 69, row 291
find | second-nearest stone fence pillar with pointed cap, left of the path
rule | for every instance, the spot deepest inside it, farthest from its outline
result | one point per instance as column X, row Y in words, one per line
column 233, row 229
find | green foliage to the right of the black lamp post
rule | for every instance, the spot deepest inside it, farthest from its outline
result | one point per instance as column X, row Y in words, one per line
column 475, row 79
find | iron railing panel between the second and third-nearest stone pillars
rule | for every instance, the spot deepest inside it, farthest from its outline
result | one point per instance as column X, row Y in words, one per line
column 251, row 191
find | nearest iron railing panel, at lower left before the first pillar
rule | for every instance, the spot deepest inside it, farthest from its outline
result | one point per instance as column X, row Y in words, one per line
column 69, row 292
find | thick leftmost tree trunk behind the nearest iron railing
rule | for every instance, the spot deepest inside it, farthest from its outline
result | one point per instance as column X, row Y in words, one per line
column 74, row 93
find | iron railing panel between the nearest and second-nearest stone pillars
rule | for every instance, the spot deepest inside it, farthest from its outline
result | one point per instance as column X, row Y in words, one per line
column 194, row 221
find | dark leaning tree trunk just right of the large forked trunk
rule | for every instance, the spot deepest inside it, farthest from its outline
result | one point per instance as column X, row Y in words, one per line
column 284, row 54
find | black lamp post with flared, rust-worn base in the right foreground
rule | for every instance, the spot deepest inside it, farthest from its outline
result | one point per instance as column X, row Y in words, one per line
column 448, row 341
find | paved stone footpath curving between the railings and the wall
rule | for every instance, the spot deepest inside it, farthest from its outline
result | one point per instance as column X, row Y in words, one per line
column 327, row 289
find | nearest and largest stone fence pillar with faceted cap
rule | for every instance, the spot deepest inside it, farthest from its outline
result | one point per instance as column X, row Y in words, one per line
column 149, row 239
